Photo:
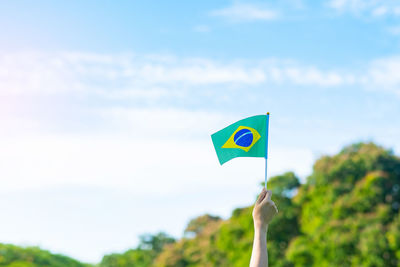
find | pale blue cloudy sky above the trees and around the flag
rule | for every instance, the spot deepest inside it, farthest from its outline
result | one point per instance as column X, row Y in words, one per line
column 107, row 108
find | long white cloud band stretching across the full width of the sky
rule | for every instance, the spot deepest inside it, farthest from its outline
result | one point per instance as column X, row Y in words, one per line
column 157, row 78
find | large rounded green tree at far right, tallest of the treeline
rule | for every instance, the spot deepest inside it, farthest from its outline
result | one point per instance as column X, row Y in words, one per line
column 348, row 204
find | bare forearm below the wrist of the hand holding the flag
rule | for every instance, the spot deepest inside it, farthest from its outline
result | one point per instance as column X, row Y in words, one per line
column 259, row 256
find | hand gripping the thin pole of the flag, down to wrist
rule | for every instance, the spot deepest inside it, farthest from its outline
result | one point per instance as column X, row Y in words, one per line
column 264, row 210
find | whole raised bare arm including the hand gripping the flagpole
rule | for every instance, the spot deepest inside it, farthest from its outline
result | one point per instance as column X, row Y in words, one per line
column 264, row 210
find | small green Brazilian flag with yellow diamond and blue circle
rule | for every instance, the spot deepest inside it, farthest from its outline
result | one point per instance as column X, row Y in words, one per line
column 245, row 138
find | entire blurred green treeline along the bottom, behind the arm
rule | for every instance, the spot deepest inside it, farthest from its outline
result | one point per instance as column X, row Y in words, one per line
column 345, row 214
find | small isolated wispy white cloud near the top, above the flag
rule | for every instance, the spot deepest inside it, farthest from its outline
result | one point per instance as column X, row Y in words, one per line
column 246, row 12
